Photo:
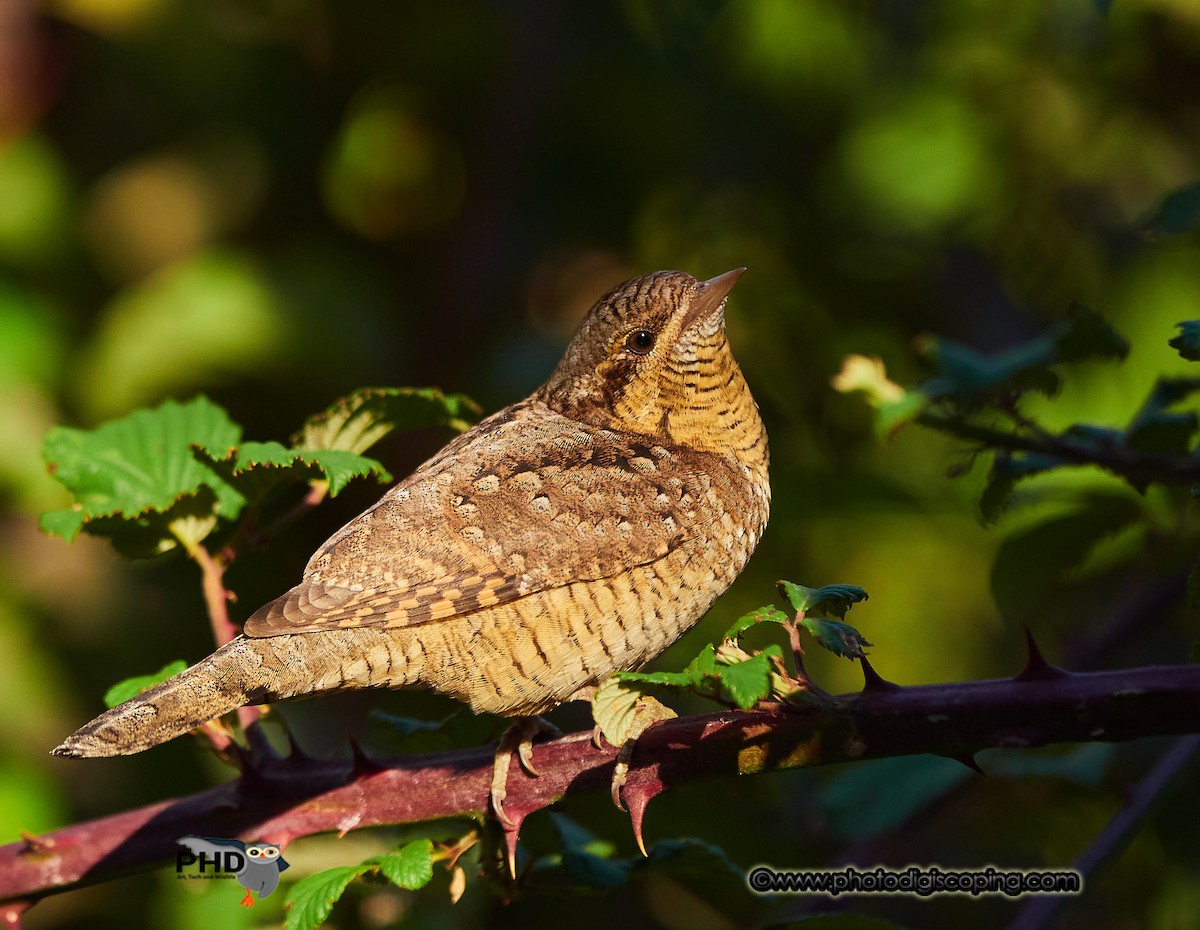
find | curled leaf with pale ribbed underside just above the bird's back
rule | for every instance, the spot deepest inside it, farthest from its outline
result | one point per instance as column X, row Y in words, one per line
column 362, row 419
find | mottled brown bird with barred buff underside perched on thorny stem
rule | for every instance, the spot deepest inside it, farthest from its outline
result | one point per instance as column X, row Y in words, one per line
column 575, row 533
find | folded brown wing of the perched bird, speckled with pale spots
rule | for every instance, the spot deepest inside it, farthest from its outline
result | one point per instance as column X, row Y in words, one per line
column 525, row 502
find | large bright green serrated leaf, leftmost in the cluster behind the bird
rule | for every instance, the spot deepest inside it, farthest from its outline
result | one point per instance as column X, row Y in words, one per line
column 135, row 477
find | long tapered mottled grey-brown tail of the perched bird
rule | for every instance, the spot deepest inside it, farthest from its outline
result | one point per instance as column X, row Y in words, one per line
column 245, row 671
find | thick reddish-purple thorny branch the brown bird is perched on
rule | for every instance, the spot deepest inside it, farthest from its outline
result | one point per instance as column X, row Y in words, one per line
column 280, row 800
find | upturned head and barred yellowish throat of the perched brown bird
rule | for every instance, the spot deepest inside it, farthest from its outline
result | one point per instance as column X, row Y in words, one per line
column 652, row 358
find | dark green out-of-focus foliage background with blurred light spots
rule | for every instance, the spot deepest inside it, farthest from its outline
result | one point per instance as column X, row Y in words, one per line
column 274, row 202
